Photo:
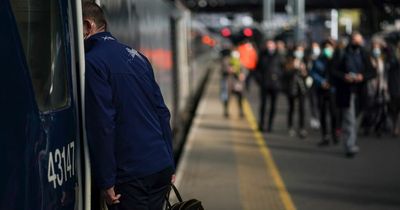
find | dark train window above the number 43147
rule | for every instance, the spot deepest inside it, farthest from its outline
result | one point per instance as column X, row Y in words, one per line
column 41, row 31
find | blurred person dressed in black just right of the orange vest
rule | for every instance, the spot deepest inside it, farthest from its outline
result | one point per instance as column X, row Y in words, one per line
column 269, row 69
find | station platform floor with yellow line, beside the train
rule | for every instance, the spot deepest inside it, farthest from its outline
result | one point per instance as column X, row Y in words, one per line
column 228, row 164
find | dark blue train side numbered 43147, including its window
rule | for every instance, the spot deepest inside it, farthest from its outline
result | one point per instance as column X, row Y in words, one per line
column 38, row 116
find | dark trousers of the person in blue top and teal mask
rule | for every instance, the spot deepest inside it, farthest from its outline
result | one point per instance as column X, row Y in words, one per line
column 326, row 104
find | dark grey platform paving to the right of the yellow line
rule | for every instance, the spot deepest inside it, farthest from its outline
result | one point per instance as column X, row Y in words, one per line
column 323, row 178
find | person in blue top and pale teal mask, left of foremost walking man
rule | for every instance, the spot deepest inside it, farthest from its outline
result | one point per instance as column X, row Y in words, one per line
column 326, row 93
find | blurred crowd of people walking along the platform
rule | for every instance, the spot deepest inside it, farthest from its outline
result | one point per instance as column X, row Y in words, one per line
column 352, row 87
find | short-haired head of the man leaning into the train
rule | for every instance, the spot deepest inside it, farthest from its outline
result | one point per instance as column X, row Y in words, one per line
column 93, row 19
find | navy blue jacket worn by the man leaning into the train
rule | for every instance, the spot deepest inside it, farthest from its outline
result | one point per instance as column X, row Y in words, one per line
column 127, row 121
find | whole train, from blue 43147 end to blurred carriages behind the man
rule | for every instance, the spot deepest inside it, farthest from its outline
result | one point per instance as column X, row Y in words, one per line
column 46, row 164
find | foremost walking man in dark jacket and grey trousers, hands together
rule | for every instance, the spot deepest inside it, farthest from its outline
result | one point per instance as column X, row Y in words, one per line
column 351, row 72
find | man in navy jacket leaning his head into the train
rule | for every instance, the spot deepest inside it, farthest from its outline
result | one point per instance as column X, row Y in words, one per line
column 127, row 121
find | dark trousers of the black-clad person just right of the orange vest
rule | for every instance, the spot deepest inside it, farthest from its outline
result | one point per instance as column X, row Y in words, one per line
column 272, row 94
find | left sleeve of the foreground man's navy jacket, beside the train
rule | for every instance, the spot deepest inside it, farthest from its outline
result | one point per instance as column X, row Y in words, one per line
column 100, row 125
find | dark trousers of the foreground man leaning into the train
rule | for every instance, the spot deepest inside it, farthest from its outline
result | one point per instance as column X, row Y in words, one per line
column 147, row 193
